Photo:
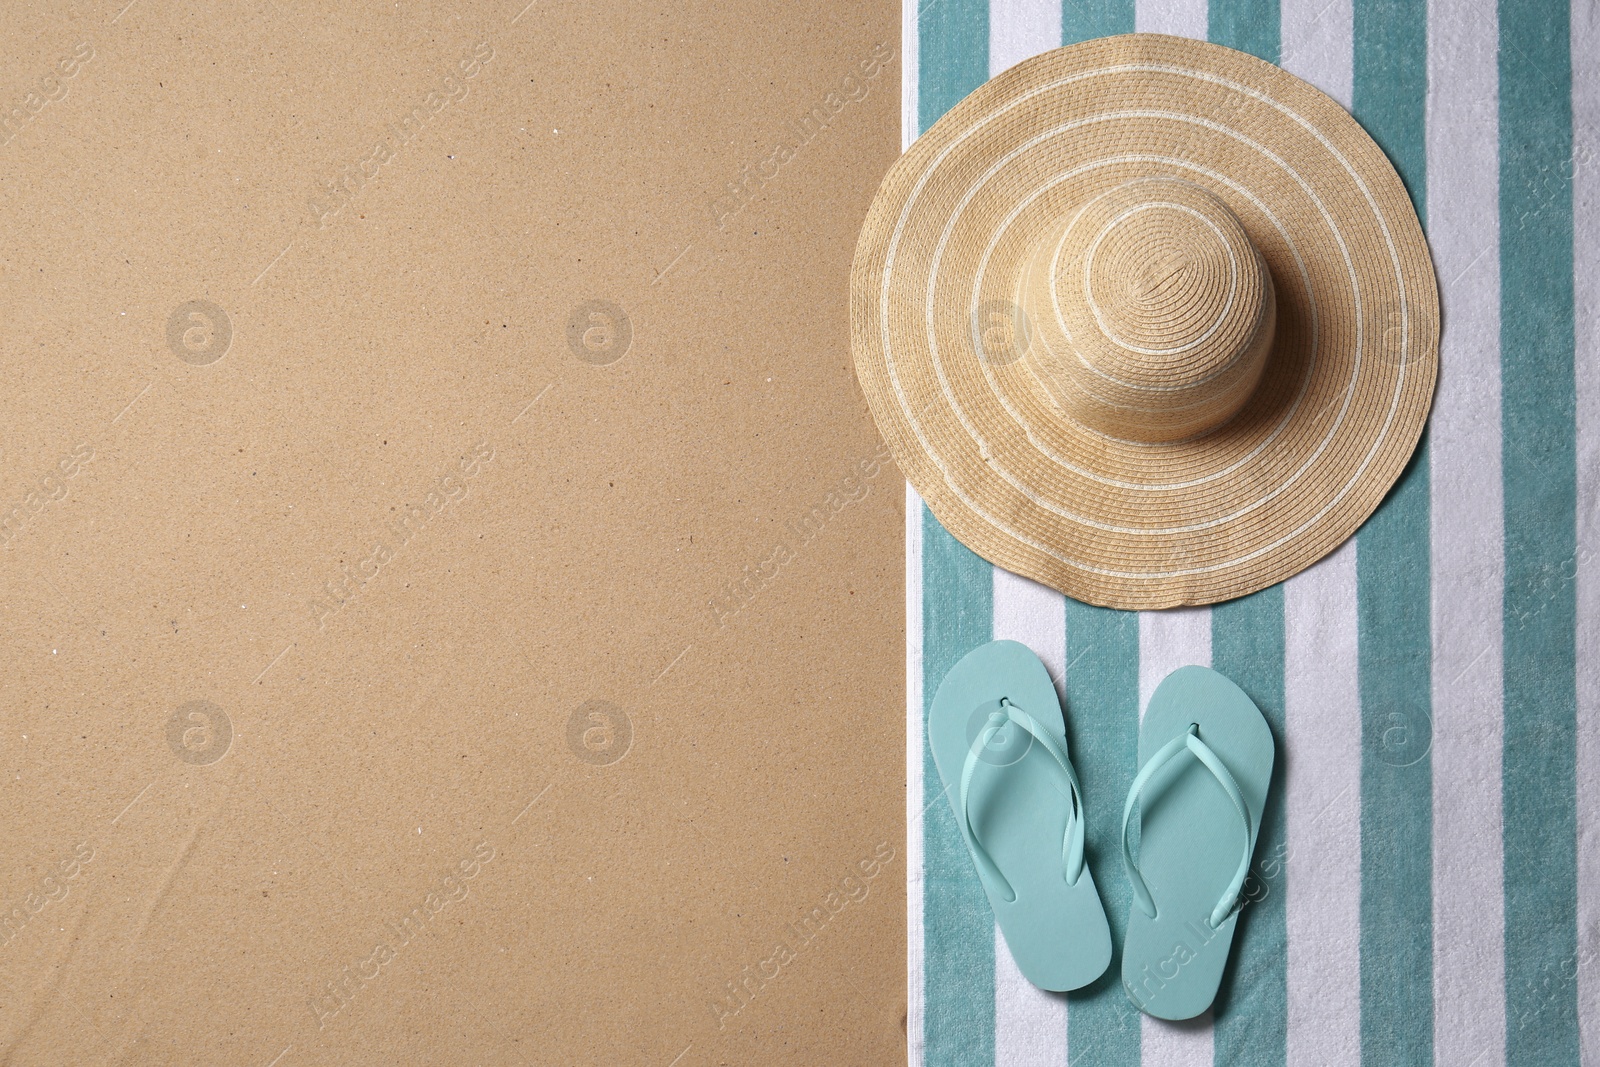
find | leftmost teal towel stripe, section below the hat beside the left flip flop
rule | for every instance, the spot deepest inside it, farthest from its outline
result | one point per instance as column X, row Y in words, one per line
column 959, row 930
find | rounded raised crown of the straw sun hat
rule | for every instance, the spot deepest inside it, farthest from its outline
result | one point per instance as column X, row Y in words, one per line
column 1151, row 311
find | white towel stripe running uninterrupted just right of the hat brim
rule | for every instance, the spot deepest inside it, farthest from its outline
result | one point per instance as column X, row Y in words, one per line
column 1468, row 535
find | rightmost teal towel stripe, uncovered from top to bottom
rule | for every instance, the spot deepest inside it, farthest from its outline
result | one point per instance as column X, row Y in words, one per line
column 1538, row 433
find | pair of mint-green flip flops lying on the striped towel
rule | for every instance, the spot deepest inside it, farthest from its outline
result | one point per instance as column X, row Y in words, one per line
column 1206, row 762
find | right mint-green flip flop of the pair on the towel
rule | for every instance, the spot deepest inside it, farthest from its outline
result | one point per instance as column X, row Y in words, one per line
column 1206, row 757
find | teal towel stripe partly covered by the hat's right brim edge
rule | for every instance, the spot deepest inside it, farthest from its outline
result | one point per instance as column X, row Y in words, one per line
column 1394, row 626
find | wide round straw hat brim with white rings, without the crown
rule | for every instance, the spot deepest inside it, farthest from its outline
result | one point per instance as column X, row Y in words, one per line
column 1346, row 388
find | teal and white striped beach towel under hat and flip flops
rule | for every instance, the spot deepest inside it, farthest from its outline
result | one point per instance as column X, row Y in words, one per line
column 1428, row 882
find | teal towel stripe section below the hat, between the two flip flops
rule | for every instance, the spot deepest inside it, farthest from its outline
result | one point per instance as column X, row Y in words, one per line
column 1103, row 738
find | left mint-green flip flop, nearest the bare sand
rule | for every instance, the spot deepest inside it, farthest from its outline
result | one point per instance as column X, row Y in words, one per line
column 1001, row 746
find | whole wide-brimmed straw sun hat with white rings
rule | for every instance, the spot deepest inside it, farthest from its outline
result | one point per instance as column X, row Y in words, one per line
column 1148, row 321
